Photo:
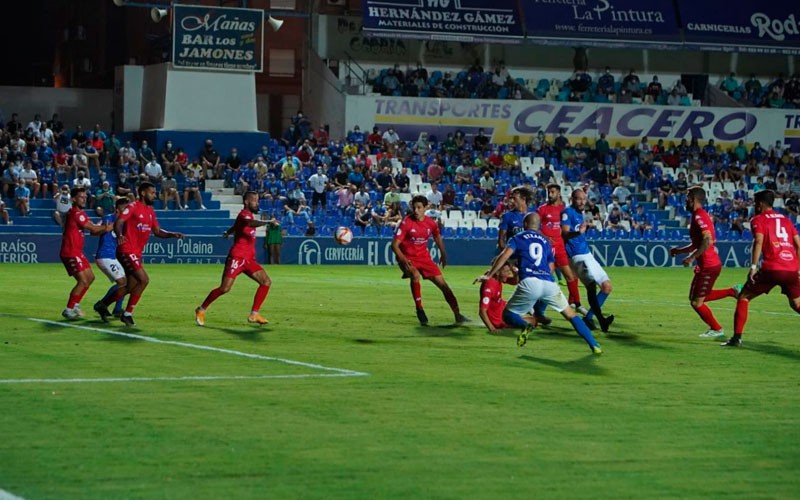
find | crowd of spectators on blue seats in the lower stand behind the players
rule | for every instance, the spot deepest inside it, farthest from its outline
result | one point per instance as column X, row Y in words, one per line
column 310, row 182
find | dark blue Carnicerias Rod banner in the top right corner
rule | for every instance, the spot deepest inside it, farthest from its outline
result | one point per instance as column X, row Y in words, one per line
column 742, row 26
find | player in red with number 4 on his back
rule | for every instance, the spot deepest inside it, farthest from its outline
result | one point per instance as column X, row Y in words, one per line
column 776, row 240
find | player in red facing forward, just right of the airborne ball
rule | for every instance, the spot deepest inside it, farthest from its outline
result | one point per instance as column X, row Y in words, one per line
column 410, row 246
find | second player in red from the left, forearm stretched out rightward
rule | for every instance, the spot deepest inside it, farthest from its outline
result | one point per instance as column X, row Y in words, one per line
column 133, row 227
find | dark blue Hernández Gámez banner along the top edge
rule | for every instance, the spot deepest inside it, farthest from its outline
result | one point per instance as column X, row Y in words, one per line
column 458, row 20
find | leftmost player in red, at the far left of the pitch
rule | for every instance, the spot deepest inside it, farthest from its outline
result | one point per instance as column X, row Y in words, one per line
column 76, row 263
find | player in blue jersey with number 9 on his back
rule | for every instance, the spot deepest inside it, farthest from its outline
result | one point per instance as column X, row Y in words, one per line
column 536, row 282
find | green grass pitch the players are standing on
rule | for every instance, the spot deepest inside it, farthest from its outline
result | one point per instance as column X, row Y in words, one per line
column 347, row 397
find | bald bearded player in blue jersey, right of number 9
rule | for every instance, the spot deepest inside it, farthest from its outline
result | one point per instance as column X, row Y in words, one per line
column 582, row 261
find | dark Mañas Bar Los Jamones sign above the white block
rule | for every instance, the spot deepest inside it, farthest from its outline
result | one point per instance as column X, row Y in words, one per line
column 219, row 38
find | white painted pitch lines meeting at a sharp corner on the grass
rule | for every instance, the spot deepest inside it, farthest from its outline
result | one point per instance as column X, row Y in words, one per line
column 337, row 372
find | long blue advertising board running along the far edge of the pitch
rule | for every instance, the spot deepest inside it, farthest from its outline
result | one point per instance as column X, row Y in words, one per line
column 34, row 249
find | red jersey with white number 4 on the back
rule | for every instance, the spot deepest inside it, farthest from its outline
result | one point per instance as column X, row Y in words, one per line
column 778, row 249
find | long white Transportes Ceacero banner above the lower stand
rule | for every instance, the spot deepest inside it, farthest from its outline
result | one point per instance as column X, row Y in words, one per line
column 508, row 122
